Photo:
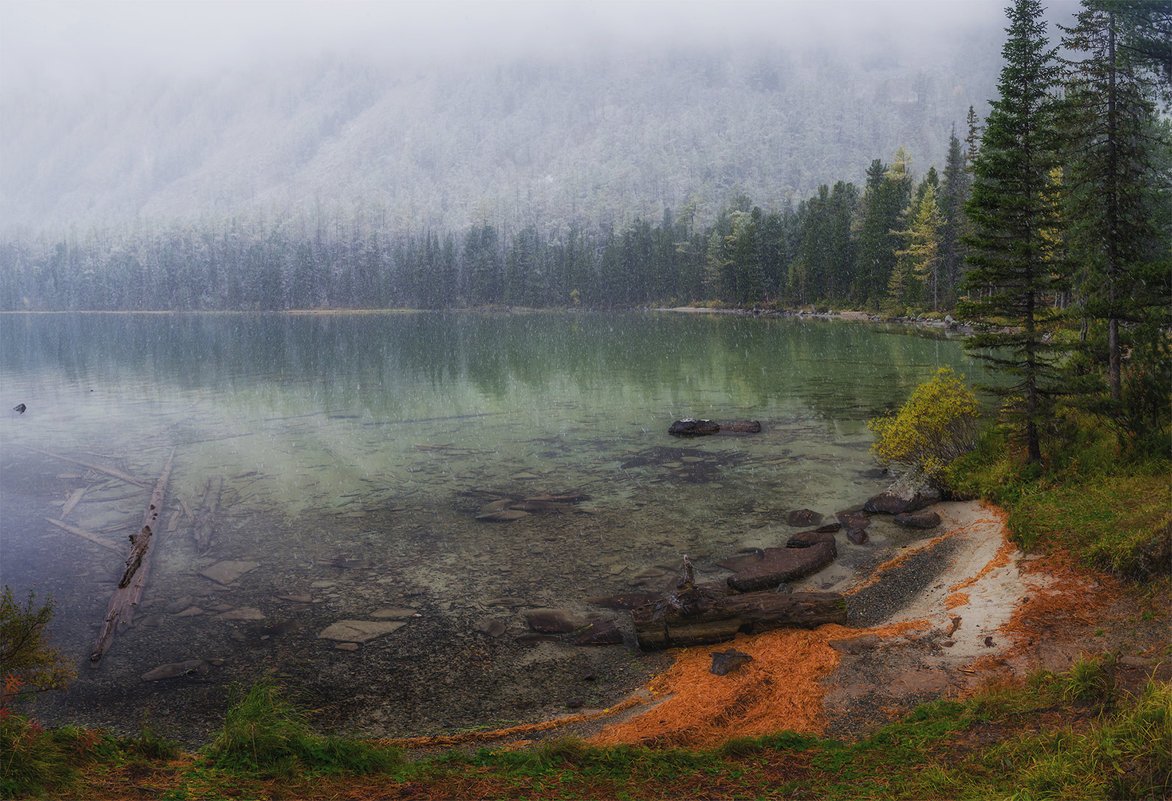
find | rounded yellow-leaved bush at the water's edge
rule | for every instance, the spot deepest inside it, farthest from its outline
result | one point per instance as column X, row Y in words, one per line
column 937, row 425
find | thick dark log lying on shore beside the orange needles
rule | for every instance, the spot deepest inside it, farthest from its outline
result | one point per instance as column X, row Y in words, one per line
column 665, row 624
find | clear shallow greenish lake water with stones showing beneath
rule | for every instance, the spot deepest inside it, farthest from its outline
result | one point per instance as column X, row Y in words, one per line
column 340, row 466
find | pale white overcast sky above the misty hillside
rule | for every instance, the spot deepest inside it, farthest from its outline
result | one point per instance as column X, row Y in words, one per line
column 112, row 40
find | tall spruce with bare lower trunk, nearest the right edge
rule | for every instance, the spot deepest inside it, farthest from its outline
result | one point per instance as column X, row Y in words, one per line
column 1110, row 127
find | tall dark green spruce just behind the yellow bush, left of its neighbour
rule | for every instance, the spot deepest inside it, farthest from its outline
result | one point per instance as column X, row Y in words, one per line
column 1012, row 209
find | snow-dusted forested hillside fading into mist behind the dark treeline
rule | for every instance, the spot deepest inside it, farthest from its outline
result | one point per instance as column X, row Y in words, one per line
column 597, row 138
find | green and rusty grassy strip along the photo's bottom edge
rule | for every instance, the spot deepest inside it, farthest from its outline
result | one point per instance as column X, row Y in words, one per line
column 1079, row 735
